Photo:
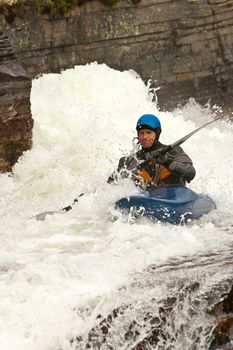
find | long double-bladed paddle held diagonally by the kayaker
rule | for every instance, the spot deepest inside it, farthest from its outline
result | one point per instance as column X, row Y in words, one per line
column 160, row 153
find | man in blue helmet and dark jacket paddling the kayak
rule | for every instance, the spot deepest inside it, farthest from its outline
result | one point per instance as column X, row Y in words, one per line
column 175, row 168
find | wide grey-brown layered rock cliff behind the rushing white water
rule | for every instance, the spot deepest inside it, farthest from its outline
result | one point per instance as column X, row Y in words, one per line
column 183, row 46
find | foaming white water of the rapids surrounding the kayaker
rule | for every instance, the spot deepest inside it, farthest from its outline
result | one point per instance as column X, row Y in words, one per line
column 58, row 275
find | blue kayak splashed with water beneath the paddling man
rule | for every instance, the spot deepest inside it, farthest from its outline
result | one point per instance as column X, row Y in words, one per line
column 173, row 204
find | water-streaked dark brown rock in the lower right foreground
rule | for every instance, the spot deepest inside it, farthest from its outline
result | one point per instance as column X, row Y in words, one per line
column 191, row 318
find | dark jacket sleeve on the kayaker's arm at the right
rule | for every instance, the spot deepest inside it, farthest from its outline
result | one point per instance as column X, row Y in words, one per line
column 181, row 164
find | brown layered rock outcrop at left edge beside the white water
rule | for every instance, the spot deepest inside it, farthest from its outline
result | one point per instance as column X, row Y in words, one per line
column 15, row 114
